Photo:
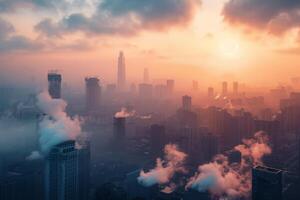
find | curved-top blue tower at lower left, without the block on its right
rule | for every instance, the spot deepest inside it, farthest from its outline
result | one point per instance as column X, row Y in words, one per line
column 61, row 172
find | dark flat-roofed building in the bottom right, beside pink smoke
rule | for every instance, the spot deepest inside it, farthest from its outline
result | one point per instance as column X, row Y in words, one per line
column 266, row 183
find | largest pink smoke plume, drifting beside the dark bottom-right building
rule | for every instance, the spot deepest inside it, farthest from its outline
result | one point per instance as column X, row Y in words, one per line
column 231, row 181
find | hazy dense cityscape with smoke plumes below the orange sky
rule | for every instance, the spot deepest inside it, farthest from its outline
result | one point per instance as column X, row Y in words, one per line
column 151, row 141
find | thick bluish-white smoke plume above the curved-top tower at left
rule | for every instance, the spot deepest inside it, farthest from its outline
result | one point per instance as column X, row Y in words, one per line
column 56, row 126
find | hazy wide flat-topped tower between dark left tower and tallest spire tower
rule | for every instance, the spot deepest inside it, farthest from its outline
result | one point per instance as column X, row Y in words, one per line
column 93, row 94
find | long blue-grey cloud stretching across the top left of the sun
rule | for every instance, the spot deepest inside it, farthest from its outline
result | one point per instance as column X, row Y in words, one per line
column 126, row 19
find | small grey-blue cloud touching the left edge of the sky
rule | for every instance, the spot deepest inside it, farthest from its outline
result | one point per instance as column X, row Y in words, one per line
column 10, row 41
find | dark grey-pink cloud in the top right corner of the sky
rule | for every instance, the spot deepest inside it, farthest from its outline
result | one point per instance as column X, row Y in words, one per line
column 274, row 16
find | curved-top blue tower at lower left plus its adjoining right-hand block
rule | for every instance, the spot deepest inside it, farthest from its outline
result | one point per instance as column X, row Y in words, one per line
column 66, row 172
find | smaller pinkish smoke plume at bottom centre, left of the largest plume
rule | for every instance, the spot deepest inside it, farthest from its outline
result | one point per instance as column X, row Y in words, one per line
column 165, row 169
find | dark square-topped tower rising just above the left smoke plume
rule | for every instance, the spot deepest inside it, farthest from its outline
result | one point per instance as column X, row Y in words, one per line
column 54, row 84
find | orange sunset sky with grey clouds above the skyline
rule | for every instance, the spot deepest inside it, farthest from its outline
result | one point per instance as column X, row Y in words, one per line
column 251, row 41
